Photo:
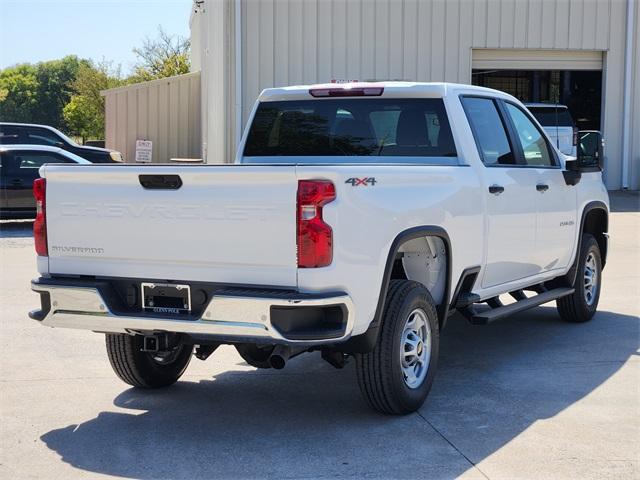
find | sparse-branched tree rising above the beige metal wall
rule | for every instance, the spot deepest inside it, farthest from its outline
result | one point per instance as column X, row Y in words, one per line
column 165, row 56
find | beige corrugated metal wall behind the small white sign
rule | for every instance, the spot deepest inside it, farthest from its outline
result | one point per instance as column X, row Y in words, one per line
column 165, row 111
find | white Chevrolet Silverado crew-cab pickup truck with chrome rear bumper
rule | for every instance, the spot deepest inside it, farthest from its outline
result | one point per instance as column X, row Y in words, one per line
column 356, row 220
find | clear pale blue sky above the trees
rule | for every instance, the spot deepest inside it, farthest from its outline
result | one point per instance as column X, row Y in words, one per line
column 36, row 30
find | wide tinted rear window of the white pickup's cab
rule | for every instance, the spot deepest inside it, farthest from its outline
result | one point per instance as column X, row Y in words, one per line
column 367, row 130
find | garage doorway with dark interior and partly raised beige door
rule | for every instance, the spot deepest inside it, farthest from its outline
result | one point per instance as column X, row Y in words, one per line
column 567, row 77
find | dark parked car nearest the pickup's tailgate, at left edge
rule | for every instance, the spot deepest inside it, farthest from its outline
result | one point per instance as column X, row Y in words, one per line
column 19, row 166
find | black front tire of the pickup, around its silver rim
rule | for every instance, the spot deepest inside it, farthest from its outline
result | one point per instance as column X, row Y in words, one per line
column 576, row 308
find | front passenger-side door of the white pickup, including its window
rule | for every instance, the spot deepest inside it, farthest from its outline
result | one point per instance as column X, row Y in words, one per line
column 556, row 201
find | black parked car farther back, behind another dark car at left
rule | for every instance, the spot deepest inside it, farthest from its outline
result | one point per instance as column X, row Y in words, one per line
column 24, row 133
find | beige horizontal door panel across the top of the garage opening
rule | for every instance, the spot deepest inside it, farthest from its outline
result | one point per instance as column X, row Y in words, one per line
column 511, row 59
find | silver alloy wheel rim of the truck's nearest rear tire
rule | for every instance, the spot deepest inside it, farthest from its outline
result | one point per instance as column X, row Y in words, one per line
column 415, row 348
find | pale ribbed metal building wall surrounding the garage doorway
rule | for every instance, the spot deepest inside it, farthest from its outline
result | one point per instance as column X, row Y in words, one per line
column 288, row 42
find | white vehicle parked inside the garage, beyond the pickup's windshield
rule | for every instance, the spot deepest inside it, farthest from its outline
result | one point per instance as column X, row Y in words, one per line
column 559, row 125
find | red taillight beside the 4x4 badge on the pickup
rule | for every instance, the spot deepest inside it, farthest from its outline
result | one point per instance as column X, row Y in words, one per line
column 315, row 237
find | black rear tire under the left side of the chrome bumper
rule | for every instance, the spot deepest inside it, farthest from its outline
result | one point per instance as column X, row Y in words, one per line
column 142, row 369
